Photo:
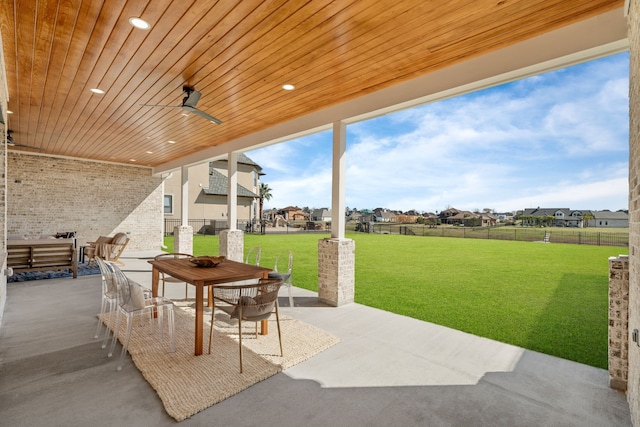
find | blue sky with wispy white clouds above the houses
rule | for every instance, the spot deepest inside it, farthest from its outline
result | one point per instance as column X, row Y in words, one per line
column 559, row 139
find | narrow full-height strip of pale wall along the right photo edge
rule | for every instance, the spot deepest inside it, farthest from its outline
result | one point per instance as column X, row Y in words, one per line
column 633, row 386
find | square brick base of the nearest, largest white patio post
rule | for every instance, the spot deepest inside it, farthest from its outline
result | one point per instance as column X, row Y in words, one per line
column 336, row 271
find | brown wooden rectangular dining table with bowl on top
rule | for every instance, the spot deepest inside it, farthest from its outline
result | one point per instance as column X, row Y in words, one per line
column 201, row 278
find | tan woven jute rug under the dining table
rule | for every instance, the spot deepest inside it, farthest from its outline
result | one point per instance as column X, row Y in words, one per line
column 187, row 384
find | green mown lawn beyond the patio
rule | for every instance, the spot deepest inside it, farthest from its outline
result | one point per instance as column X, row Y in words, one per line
column 551, row 298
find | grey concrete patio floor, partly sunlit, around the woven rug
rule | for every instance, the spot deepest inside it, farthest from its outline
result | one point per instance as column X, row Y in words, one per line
column 388, row 370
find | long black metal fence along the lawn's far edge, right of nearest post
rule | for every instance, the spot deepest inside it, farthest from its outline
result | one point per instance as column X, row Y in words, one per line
column 525, row 234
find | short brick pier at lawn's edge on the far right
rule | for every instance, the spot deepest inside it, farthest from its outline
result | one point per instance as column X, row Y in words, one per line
column 619, row 322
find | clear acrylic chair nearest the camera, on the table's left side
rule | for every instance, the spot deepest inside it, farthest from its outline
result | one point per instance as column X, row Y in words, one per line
column 132, row 301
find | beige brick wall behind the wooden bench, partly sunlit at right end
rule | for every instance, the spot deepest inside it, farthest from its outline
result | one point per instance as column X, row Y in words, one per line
column 46, row 195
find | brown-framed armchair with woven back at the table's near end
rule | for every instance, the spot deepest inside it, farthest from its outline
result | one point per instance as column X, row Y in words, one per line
column 247, row 303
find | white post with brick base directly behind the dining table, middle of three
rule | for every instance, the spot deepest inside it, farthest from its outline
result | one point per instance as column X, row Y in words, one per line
column 232, row 239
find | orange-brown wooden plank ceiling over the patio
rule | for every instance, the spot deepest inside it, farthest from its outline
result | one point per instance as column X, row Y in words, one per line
column 238, row 54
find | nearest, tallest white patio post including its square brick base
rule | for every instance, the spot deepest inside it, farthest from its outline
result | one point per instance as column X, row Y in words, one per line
column 336, row 255
